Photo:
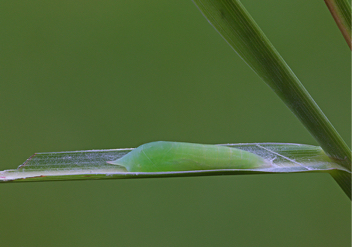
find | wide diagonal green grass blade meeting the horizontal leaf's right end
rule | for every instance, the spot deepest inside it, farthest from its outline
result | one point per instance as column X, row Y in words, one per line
column 236, row 26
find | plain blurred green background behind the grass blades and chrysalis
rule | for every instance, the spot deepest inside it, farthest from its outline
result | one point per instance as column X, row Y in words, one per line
column 88, row 74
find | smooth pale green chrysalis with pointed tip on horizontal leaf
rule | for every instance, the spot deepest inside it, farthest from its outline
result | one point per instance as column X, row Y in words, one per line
column 164, row 156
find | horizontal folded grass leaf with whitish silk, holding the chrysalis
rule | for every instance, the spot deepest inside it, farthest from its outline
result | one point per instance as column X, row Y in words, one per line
column 92, row 164
